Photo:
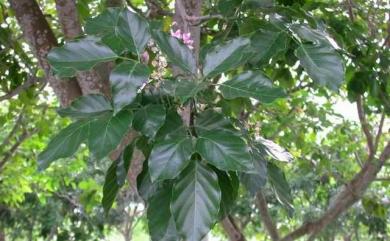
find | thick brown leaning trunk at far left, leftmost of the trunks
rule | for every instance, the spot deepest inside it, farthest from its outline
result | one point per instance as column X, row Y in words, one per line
column 41, row 39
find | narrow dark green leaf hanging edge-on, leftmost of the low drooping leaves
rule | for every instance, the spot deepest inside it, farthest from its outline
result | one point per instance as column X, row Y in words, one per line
column 110, row 187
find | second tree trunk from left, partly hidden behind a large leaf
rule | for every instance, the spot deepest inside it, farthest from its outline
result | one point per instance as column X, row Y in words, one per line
column 89, row 81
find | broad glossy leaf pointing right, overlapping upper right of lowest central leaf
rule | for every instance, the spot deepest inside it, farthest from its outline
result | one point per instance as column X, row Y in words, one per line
column 224, row 150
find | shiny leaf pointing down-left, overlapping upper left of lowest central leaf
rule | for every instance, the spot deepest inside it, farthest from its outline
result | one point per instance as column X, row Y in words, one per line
column 169, row 157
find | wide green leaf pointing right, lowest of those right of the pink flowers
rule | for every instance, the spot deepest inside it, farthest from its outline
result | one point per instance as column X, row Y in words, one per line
column 251, row 84
